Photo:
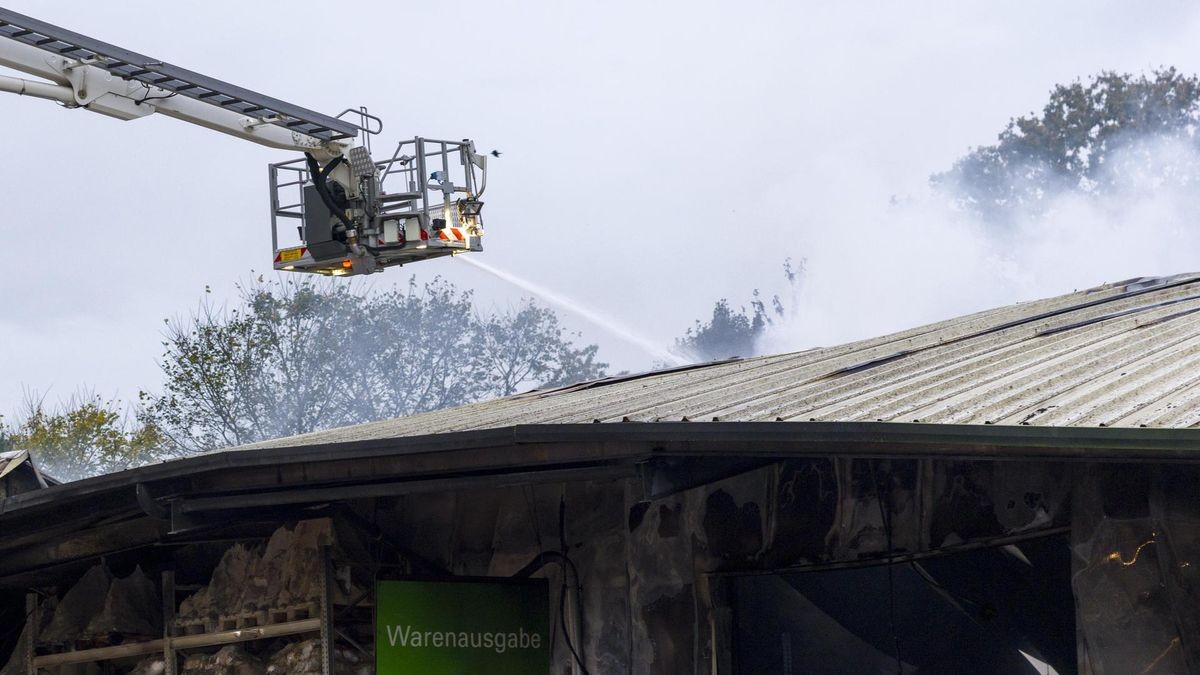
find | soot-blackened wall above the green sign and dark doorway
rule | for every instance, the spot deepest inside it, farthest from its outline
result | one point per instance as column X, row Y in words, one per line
column 651, row 605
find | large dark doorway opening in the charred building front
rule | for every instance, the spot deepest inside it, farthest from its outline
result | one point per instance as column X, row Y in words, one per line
column 976, row 612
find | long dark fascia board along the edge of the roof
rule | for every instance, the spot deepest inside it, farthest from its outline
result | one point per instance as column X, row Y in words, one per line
column 621, row 441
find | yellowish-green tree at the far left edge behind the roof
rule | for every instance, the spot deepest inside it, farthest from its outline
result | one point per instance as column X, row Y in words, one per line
column 85, row 437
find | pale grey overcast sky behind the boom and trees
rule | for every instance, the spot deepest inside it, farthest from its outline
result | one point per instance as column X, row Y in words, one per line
column 657, row 157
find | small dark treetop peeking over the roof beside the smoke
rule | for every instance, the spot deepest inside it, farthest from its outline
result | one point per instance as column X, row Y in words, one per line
column 734, row 332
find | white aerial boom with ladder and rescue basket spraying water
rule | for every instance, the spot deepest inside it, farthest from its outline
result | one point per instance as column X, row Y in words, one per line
column 355, row 216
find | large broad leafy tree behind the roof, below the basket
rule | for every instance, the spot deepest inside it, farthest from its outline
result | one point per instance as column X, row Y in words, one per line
column 303, row 356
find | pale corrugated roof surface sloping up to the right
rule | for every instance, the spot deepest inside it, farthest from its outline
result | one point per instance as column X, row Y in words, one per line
column 1121, row 355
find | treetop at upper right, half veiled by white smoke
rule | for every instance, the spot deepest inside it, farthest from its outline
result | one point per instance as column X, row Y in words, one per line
column 1072, row 145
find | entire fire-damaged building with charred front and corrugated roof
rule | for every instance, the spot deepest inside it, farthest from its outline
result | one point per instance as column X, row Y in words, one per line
column 1010, row 492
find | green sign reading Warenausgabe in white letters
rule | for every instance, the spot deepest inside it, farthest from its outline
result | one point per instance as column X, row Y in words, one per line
column 455, row 628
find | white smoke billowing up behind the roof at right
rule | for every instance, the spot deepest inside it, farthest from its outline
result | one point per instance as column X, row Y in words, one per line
column 879, row 264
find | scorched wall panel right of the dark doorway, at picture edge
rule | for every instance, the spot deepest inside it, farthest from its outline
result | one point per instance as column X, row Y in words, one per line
column 1136, row 543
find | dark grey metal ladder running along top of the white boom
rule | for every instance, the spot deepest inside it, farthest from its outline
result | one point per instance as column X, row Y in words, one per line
column 153, row 73
